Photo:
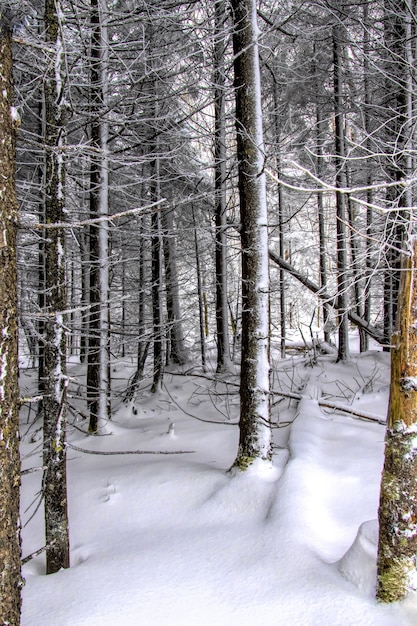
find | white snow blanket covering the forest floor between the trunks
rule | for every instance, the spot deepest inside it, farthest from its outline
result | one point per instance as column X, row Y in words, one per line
column 178, row 540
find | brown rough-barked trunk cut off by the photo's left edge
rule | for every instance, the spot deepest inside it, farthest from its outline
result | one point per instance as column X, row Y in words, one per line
column 10, row 577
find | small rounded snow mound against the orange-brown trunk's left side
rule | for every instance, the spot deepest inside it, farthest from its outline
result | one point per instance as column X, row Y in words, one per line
column 358, row 565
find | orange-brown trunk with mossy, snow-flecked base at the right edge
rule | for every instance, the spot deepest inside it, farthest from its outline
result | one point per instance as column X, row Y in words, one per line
column 397, row 550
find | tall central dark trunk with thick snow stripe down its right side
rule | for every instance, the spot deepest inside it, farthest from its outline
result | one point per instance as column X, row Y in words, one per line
column 254, row 424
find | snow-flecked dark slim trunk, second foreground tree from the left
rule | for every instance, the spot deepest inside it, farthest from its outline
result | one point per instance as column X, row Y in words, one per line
column 54, row 407
